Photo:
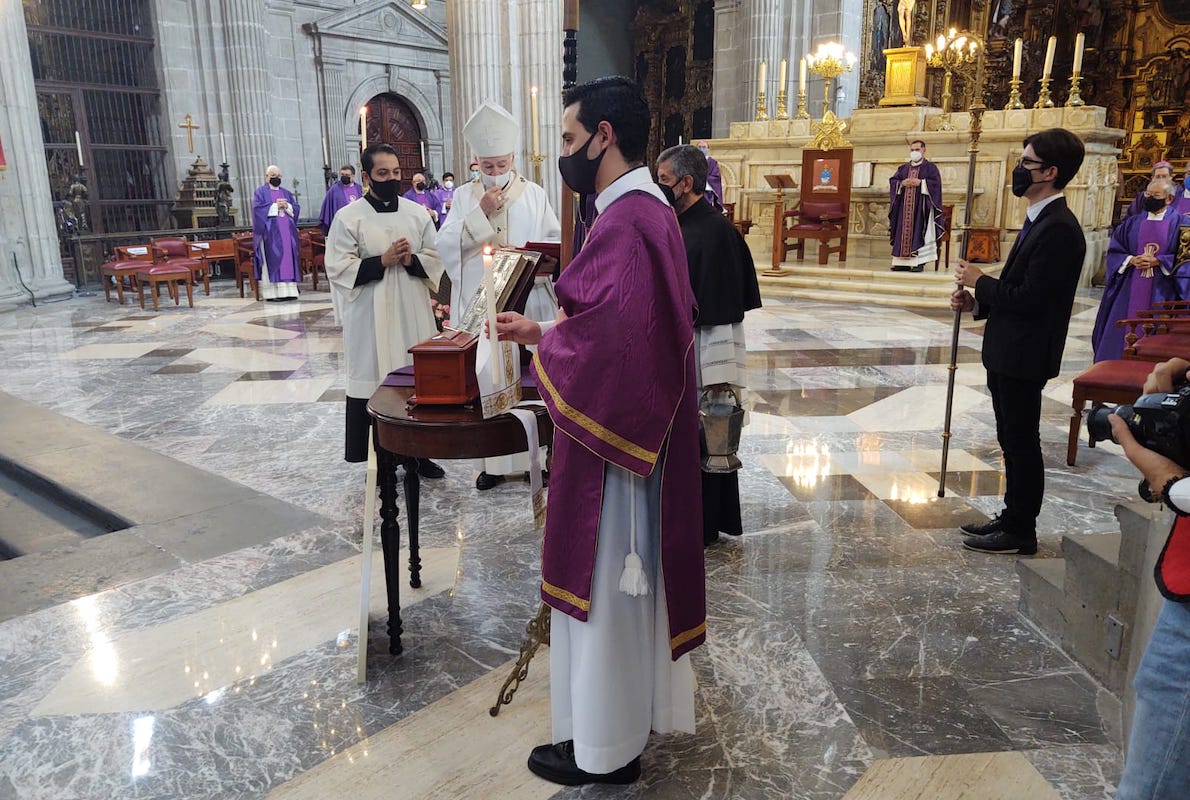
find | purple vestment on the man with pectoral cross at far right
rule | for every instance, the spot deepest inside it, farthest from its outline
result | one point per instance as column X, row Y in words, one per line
column 1133, row 291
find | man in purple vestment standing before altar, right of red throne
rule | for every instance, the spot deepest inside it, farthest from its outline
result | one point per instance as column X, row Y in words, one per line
column 916, row 211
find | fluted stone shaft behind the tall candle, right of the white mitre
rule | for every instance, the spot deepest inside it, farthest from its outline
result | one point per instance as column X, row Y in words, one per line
column 541, row 43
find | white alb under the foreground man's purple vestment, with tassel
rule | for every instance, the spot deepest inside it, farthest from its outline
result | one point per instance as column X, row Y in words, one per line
column 612, row 679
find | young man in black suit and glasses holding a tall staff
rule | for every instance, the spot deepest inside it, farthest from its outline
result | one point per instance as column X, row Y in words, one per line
column 1029, row 311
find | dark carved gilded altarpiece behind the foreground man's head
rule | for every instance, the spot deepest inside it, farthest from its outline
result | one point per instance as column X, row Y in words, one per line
column 674, row 62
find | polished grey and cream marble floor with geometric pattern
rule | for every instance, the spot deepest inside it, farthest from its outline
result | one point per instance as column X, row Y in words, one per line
column 848, row 629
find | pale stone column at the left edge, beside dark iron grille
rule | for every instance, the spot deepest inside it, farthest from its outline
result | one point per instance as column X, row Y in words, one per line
column 27, row 211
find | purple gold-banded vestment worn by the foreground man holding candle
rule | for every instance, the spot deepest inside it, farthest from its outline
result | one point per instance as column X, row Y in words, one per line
column 618, row 378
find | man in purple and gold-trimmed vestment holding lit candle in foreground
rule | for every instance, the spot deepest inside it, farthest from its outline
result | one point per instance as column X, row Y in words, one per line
column 622, row 562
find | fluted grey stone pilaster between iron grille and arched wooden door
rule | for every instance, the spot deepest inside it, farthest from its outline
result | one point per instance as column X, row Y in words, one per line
column 247, row 45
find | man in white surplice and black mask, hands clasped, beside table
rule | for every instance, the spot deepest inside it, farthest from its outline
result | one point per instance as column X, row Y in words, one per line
column 383, row 261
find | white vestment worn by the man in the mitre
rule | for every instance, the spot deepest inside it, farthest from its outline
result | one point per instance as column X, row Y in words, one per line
column 527, row 217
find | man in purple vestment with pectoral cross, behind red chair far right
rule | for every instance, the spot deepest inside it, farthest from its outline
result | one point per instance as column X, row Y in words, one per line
column 1141, row 268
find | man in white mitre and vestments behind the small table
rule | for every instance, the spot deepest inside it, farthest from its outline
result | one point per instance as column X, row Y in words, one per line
column 500, row 208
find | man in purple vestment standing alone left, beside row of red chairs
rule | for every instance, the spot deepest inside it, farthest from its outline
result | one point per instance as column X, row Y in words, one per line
column 275, row 237
